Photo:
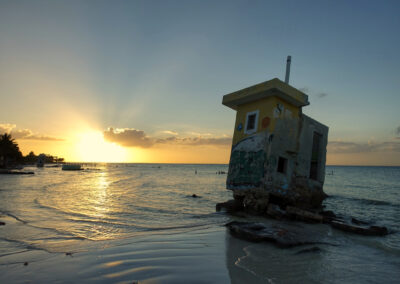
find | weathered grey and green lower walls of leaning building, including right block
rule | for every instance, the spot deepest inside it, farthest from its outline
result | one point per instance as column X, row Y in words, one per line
column 254, row 162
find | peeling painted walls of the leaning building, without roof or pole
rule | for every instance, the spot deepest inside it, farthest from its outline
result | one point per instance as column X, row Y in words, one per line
column 277, row 158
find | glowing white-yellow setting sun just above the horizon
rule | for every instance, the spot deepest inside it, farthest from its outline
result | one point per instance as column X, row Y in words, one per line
column 91, row 147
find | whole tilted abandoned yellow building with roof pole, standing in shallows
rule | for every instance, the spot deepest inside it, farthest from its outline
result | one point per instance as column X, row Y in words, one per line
column 277, row 152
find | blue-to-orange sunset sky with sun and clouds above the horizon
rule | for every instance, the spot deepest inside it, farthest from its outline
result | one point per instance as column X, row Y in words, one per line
column 142, row 81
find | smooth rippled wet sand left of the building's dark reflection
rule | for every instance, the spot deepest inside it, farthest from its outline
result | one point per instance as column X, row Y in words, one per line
column 191, row 257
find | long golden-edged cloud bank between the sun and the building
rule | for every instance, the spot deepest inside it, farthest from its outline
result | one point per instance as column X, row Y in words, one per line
column 130, row 137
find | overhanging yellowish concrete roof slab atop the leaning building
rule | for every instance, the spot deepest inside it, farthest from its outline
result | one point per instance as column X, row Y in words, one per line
column 274, row 87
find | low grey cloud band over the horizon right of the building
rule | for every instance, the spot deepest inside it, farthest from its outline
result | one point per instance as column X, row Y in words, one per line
column 352, row 147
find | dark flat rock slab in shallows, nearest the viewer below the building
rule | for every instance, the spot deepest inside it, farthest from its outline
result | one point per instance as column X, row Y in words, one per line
column 260, row 232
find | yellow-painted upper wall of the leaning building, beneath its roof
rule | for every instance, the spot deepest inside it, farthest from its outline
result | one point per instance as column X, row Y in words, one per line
column 266, row 109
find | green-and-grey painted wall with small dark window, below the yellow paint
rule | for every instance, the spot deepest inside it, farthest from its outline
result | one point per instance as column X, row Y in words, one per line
column 254, row 160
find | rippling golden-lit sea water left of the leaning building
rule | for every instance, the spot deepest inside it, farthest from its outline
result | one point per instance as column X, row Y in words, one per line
column 108, row 201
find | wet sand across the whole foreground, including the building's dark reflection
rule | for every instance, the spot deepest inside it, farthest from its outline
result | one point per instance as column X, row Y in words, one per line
column 205, row 255
